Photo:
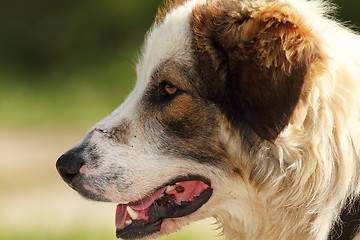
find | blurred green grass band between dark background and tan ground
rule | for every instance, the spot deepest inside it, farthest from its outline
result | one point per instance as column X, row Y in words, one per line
column 65, row 97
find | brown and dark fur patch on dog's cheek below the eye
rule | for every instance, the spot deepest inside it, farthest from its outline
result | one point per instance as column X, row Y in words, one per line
column 194, row 137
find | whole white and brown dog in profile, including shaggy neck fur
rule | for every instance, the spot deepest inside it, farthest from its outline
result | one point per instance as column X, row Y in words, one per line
column 243, row 110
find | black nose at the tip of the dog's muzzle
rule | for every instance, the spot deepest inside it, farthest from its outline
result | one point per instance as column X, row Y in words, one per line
column 69, row 164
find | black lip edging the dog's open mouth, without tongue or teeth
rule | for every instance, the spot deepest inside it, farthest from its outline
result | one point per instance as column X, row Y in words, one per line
column 160, row 211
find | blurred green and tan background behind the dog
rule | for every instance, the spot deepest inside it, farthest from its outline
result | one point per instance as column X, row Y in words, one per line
column 64, row 65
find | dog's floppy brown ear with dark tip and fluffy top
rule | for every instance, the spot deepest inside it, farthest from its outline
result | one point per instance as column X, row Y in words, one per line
column 267, row 56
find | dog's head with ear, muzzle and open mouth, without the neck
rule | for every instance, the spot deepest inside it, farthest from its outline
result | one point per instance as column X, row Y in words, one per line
column 217, row 84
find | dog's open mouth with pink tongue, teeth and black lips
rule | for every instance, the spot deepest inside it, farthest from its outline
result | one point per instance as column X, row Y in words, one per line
column 178, row 198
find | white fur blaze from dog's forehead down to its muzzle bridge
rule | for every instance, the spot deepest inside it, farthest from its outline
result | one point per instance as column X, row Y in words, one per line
column 169, row 40
